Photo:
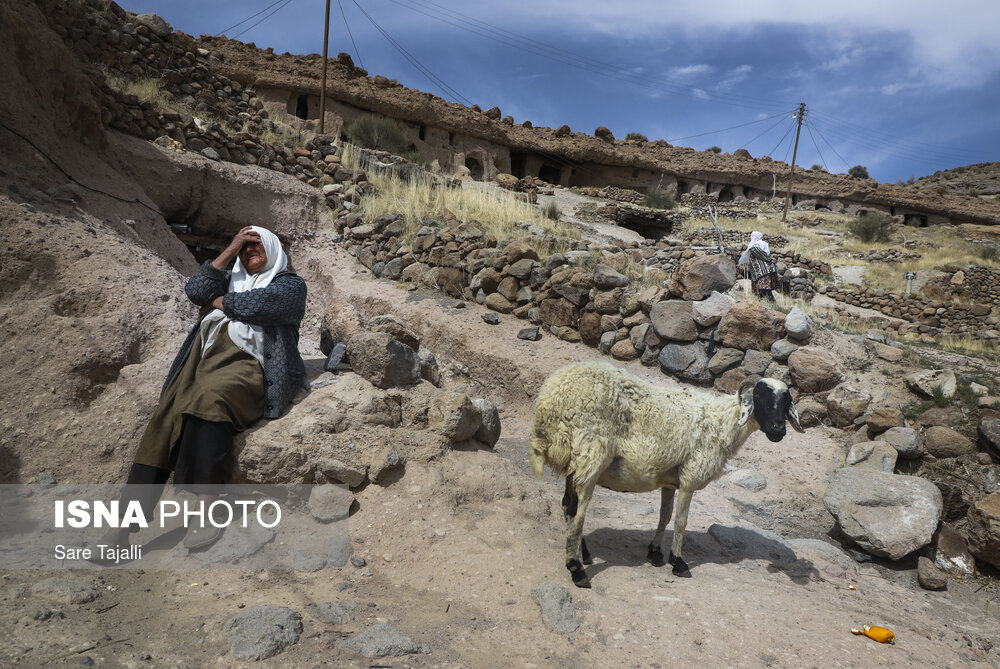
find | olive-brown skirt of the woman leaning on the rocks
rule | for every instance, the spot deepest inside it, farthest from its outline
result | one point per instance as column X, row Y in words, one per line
column 226, row 385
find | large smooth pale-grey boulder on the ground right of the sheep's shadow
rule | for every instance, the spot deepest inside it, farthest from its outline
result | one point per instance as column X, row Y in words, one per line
column 886, row 514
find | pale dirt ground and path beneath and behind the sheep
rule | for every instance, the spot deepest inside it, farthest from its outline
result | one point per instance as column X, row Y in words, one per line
column 455, row 546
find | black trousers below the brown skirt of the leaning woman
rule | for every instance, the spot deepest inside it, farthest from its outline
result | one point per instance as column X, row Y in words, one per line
column 199, row 464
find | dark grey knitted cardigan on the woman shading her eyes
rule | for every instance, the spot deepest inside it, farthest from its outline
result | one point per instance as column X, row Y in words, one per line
column 278, row 307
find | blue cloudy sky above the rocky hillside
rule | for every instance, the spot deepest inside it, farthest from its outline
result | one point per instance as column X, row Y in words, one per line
column 904, row 87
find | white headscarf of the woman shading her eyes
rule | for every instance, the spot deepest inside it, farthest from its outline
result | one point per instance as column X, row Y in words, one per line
column 247, row 337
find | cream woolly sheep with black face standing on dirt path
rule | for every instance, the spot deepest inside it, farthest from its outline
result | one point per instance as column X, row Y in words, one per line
column 599, row 425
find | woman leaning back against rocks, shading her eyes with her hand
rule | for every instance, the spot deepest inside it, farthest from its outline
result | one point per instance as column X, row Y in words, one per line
column 239, row 362
